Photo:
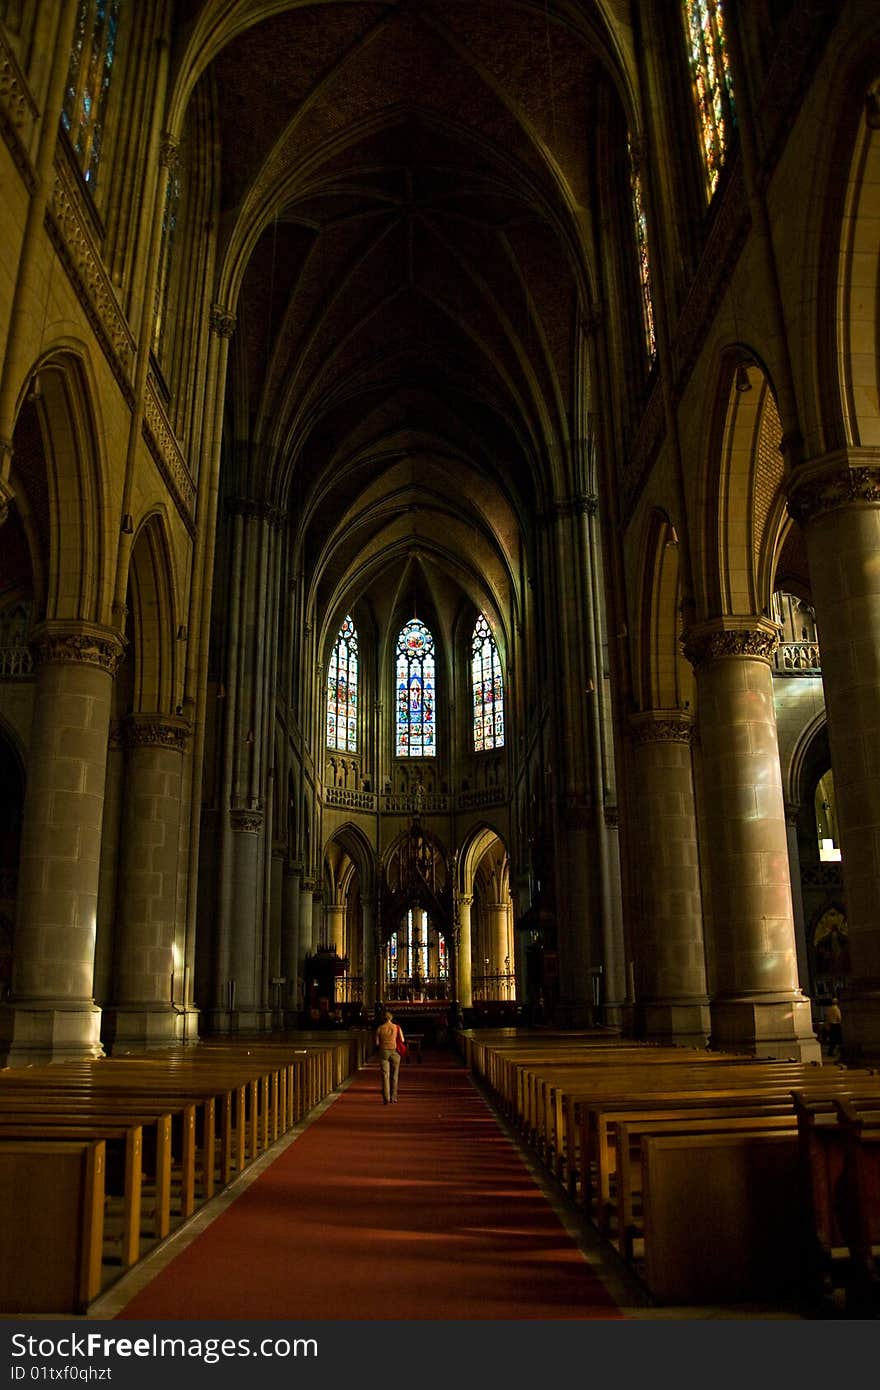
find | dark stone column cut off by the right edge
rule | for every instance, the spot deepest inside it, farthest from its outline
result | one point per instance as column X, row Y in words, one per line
column 838, row 502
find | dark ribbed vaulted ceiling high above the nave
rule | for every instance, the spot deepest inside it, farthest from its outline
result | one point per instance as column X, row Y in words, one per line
column 408, row 243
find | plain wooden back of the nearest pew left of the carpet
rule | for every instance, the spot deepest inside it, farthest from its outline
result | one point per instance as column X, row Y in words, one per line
column 52, row 1211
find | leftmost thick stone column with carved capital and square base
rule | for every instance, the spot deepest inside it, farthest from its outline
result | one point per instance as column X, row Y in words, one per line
column 52, row 1015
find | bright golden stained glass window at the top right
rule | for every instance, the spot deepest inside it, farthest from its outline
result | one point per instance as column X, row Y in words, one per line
column 711, row 81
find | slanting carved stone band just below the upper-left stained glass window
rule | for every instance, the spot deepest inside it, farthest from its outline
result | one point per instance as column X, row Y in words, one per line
column 81, row 261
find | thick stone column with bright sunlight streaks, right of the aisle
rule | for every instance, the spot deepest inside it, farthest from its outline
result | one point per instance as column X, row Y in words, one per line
column 757, row 1003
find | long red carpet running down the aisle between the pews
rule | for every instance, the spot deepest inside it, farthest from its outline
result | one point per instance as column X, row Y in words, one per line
column 409, row 1211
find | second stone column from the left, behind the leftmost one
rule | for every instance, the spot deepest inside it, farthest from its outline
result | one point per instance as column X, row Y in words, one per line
column 144, row 975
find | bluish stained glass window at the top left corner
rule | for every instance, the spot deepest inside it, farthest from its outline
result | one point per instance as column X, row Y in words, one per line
column 88, row 81
